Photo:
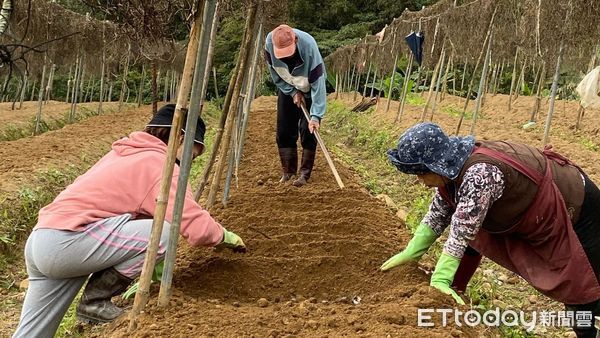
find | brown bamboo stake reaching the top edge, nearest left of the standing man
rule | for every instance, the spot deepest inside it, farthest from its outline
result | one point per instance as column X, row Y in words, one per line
column 224, row 148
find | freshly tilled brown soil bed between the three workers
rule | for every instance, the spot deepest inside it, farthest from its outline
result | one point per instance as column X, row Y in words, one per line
column 311, row 251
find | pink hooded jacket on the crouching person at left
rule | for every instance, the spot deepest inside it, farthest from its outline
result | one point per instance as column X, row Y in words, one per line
column 127, row 180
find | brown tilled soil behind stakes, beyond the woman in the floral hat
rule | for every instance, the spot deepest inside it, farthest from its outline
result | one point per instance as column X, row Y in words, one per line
column 495, row 122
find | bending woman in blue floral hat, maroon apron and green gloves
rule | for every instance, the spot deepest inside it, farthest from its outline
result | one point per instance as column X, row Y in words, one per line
column 532, row 211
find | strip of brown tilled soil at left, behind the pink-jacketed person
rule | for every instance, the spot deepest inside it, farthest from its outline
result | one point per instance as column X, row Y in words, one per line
column 67, row 146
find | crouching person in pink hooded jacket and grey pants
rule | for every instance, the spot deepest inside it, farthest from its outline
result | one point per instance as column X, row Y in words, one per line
column 101, row 224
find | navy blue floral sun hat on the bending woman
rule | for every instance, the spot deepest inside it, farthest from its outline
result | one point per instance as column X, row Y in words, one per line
column 425, row 148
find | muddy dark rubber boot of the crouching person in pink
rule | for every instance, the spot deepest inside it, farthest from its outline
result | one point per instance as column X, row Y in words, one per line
column 95, row 305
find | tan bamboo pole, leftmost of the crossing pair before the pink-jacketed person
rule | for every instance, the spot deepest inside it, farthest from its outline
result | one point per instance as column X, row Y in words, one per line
column 162, row 200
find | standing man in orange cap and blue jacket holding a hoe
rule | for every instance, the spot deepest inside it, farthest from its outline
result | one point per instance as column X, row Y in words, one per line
column 297, row 69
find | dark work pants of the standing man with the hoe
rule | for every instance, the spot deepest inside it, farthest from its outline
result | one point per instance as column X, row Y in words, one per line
column 291, row 122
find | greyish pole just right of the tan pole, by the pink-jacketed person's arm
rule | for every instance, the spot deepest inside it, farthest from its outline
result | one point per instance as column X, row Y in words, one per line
column 197, row 98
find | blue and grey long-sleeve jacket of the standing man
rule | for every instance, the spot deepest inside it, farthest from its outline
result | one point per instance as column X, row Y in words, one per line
column 309, row 76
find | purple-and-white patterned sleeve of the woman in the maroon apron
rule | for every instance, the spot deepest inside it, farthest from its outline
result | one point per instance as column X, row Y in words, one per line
column 482, row 185
